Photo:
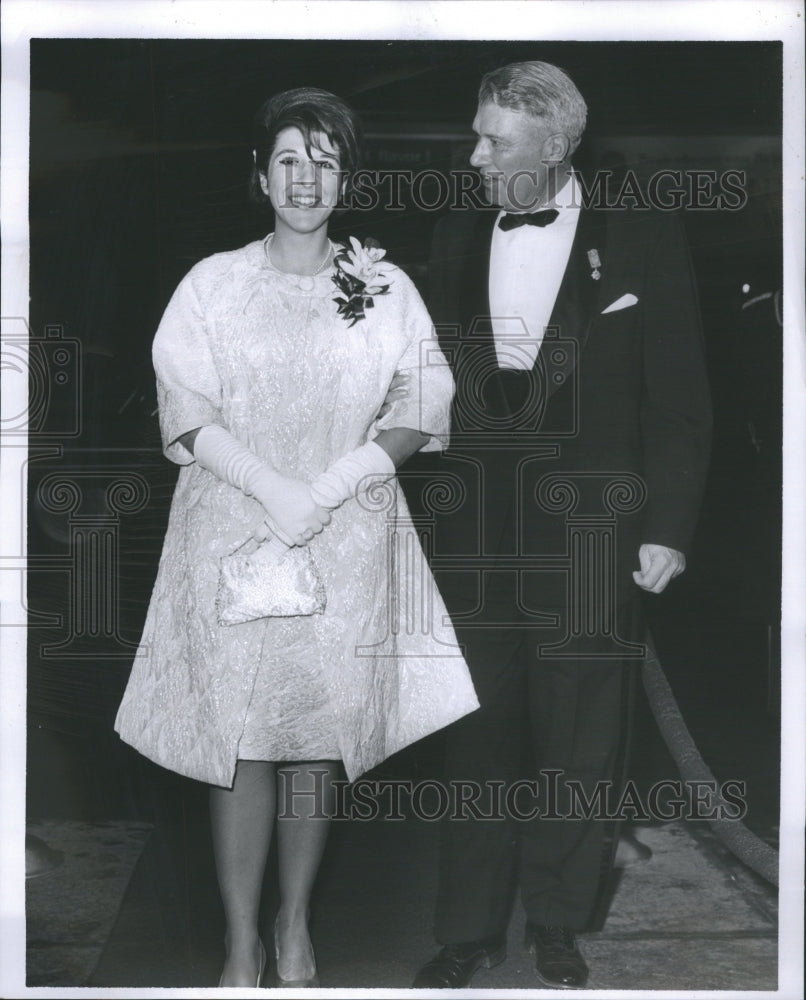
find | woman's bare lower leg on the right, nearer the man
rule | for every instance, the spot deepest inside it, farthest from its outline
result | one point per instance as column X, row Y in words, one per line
column 302, row 828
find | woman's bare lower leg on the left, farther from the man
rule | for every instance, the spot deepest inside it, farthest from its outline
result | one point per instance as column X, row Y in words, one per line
column 242, row 819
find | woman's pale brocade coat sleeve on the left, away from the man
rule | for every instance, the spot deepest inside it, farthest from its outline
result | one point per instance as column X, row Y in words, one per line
column 188, row 383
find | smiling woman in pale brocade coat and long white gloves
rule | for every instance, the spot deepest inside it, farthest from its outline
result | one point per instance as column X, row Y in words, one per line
column 272, row 363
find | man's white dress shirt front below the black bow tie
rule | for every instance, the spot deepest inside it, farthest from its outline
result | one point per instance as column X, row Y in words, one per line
column 527, row 265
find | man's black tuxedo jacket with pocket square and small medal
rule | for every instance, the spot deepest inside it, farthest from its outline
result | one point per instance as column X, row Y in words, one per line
column 613, row 423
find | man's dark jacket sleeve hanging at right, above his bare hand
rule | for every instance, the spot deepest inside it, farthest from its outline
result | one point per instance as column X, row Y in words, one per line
column 676, row 405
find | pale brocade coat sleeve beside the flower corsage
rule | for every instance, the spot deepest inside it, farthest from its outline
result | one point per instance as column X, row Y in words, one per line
column 426, row 405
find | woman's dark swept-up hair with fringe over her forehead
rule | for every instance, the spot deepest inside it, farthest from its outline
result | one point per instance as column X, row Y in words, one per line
column 310, row 110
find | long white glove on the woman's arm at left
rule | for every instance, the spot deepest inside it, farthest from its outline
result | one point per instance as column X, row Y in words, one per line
column 292, row 512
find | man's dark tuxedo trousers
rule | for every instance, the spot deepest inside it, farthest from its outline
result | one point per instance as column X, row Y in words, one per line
column 543, row 719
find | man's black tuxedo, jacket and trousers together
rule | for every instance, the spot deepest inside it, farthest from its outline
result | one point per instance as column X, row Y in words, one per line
column 553, row 479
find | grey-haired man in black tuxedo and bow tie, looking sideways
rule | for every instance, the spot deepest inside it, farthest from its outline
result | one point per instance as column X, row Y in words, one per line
column 579, row 448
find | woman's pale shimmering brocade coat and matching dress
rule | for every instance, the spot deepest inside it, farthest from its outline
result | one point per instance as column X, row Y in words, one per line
column 243, row 346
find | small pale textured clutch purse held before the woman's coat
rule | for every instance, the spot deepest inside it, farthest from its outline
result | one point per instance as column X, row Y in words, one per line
column 268, row 580
